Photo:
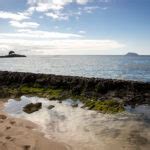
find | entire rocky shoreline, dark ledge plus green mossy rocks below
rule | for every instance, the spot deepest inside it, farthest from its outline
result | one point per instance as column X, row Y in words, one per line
column 15, row 84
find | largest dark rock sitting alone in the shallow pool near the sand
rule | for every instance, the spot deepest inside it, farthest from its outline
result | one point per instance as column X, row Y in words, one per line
column 30, row 108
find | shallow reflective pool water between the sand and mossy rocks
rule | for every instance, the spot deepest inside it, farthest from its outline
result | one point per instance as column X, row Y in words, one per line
column 83, row 129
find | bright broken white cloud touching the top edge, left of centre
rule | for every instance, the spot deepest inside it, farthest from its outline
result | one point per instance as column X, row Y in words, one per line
column 55, row 8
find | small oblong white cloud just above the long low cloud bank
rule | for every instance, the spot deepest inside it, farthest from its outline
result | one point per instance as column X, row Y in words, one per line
column 17, row 24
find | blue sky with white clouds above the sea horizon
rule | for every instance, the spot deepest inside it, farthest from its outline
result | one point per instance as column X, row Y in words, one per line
column 75, row 27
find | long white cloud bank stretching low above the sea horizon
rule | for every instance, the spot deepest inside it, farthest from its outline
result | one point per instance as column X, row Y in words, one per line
column 43, row 42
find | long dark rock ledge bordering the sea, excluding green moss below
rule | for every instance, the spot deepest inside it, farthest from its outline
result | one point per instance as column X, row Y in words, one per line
column 132, row 92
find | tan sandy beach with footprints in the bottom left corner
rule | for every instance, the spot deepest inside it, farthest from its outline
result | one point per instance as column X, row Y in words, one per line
column 17, row 134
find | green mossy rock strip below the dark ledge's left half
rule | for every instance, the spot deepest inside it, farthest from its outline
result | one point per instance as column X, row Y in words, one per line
column 46, row 92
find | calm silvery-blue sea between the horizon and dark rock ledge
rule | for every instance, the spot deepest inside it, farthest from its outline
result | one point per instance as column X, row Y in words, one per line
column 116, row 67
